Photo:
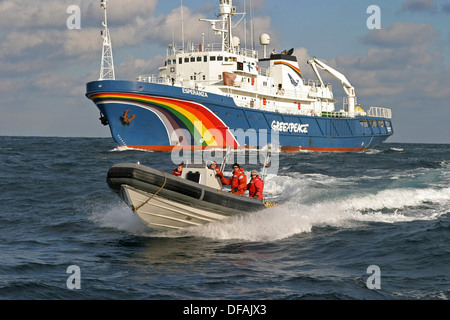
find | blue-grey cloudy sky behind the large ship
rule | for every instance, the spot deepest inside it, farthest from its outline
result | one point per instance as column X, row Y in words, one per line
column 44, row 66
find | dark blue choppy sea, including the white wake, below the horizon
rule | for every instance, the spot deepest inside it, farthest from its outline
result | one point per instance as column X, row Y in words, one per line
column 370, row 225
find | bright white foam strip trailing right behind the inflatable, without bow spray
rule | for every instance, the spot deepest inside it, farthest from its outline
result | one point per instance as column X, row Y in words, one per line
column 290, row 219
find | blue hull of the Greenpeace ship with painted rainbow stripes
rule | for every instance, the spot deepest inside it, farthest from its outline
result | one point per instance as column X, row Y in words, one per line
column 162, row 117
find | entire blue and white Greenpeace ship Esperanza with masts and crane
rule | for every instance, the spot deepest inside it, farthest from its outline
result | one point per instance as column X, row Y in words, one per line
column 225, row 95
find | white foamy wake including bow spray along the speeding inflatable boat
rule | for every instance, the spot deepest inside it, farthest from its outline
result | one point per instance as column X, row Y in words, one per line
column 291, row 218
